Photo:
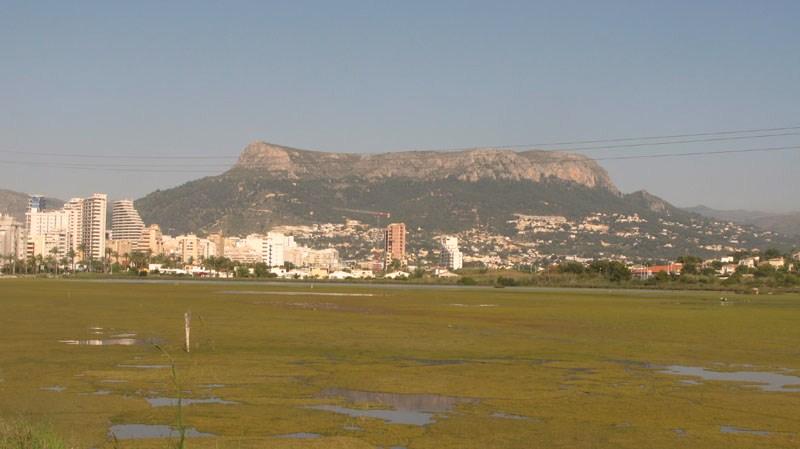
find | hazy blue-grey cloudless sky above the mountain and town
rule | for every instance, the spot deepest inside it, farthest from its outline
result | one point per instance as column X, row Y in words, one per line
column 93, row 93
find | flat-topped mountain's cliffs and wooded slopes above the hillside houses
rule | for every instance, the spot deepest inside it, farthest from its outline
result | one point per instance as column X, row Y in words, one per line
column 274, row 185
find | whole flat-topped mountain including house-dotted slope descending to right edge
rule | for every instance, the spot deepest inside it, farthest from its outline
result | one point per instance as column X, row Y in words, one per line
column 491, row 191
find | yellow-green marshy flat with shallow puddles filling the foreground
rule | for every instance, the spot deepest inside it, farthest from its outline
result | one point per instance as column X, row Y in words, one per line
column 290, row 365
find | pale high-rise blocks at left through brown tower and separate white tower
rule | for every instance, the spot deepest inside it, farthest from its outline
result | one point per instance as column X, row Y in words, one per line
column 78, row 232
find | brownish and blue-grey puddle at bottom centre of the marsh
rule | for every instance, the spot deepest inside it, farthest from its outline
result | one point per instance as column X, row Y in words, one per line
column 410, row 409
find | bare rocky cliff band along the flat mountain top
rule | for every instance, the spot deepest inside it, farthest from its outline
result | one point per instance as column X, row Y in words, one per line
column 281, row 162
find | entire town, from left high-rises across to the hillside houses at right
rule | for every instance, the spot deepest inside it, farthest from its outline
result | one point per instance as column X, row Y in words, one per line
column 78, row 232
